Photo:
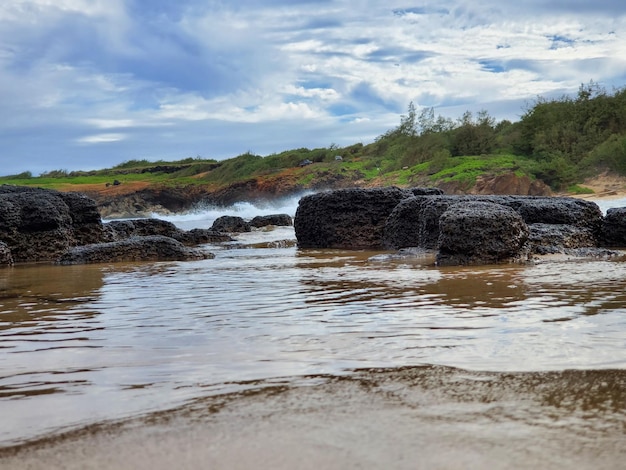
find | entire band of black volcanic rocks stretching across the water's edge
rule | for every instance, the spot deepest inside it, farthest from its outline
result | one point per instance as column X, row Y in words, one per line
column 45, row 225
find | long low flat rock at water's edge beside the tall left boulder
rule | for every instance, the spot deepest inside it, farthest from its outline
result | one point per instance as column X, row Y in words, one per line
column 150, row 248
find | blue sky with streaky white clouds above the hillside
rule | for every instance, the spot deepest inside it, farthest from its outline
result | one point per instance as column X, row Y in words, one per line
column 88, row 84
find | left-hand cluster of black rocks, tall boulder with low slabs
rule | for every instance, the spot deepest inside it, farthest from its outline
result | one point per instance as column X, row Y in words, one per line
column 44, row 225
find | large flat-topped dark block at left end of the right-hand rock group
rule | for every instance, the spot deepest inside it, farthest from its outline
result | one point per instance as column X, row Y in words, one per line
column 345, row 218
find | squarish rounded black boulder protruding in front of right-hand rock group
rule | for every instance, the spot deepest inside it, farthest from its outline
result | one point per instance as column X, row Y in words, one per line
column 481, row 233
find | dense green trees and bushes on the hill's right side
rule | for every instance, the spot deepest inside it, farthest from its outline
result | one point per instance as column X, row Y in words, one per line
column 566, row 138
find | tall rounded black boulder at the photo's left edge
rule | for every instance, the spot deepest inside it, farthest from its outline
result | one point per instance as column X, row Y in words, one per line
column 39, row 224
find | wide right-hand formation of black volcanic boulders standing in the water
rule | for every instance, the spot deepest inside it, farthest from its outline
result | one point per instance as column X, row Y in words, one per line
column 465, row 229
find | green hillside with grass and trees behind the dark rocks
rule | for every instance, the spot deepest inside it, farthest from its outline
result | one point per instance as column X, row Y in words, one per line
column 560, row 141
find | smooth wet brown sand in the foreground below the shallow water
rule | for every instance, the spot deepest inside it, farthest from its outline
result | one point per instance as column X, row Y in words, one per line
column 408, row 418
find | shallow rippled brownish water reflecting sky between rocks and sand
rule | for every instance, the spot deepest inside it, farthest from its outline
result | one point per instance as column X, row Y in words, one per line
column 83, row 344
